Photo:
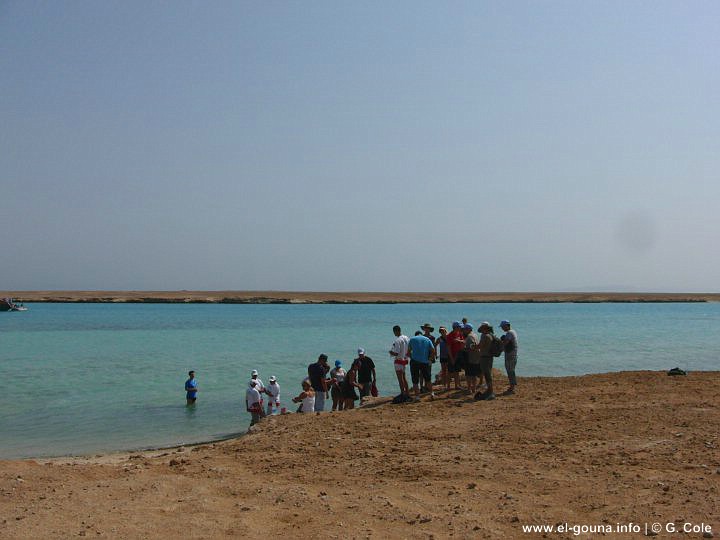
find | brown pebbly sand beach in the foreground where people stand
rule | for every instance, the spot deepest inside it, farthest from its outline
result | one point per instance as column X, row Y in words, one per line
column 606, row 449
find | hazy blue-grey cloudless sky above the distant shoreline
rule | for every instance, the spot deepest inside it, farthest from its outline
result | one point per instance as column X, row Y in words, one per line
column 522, row 145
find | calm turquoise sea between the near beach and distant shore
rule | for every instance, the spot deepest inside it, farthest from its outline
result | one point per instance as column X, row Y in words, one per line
column 90, row 378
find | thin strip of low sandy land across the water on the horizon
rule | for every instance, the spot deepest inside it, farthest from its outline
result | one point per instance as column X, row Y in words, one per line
column 304, row 297
